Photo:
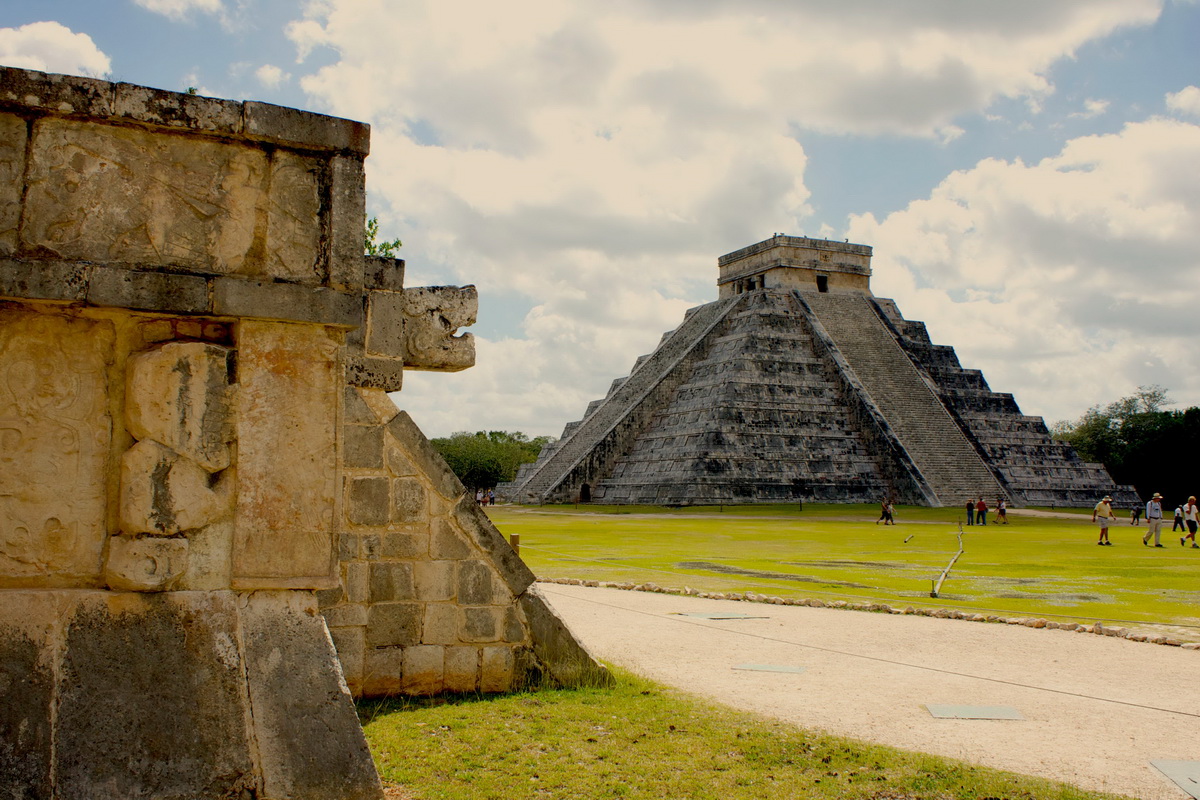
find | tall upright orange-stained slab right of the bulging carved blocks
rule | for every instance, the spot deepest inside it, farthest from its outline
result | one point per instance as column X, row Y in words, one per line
column 287, row 456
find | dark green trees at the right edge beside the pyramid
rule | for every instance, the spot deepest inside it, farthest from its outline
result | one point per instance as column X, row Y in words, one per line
column 1141, row 442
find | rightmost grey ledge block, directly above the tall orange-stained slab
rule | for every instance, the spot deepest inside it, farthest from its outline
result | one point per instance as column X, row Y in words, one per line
column 286, row 303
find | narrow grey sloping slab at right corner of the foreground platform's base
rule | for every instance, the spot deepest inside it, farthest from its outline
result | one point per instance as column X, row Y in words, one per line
column 308, row 732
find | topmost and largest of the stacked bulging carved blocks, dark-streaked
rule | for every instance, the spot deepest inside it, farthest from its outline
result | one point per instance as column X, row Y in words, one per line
column 179, row 396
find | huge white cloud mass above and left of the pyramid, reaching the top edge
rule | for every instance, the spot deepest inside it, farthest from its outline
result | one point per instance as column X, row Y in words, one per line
column 592, row 164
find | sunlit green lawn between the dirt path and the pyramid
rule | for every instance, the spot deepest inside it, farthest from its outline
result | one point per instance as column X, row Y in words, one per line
column 1034, row 567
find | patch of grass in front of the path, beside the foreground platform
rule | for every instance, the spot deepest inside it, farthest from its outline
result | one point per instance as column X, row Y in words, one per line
column 643, row 742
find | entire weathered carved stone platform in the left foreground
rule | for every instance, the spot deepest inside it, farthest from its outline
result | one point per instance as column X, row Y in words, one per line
column 199, row 455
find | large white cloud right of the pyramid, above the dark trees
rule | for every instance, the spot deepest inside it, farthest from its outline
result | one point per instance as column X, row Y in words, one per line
column 1071, row 282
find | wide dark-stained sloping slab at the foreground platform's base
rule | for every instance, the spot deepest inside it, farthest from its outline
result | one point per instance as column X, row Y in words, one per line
column 160, row 675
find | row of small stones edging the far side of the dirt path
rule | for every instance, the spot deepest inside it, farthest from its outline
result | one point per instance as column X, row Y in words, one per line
column 1099, row 629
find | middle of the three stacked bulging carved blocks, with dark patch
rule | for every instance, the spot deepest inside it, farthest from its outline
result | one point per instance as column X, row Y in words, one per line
column 165, row 495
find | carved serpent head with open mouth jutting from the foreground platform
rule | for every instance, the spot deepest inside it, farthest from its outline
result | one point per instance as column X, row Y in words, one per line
column 431, row 316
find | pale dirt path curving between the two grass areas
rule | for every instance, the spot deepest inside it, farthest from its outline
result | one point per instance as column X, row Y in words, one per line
column 1097, row 709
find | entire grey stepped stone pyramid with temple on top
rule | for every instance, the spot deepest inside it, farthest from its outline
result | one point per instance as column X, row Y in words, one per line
column 799, row 384
